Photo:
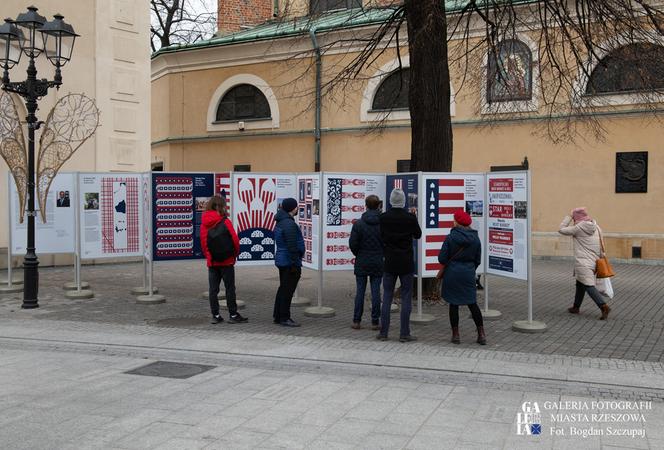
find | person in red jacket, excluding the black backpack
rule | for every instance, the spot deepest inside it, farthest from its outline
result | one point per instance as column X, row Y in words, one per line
column 214, row 214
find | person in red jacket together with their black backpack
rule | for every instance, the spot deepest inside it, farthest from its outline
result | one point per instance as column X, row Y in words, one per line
column 225, row 241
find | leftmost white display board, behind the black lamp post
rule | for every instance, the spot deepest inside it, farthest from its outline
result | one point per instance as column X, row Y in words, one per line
column 58, row 234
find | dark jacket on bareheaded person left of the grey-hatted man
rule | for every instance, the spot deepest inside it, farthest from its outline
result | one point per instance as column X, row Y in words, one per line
column 366, row 245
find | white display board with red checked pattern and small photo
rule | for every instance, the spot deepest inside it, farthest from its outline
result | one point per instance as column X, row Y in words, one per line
column 111, row 214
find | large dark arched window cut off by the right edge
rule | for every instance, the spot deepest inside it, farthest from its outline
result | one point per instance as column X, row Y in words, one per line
column 632, row 68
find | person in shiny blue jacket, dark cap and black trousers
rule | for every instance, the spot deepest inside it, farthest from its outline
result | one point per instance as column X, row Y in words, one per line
column 288, row 259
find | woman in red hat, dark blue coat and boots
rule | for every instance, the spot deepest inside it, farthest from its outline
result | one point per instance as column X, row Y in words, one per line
column 460, row 255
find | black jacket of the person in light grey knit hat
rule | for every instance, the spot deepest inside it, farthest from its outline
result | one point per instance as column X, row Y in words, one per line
column 398, row 228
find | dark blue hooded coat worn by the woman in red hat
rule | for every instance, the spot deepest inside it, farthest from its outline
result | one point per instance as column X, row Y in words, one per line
column 461, row 254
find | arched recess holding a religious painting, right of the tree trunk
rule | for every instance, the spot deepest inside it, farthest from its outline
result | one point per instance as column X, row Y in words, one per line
column 510, row 73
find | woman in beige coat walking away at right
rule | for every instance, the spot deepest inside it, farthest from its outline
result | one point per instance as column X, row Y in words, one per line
column 587, row 250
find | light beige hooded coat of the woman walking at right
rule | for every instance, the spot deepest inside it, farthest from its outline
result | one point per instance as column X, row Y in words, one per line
column 585, row 238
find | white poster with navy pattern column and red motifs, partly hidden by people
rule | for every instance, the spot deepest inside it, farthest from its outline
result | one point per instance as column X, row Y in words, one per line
column 343, row 204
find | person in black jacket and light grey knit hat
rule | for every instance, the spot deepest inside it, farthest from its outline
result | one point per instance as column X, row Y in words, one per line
column 398, row 228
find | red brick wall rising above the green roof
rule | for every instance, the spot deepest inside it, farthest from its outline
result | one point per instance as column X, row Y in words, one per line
column 234, row 14
